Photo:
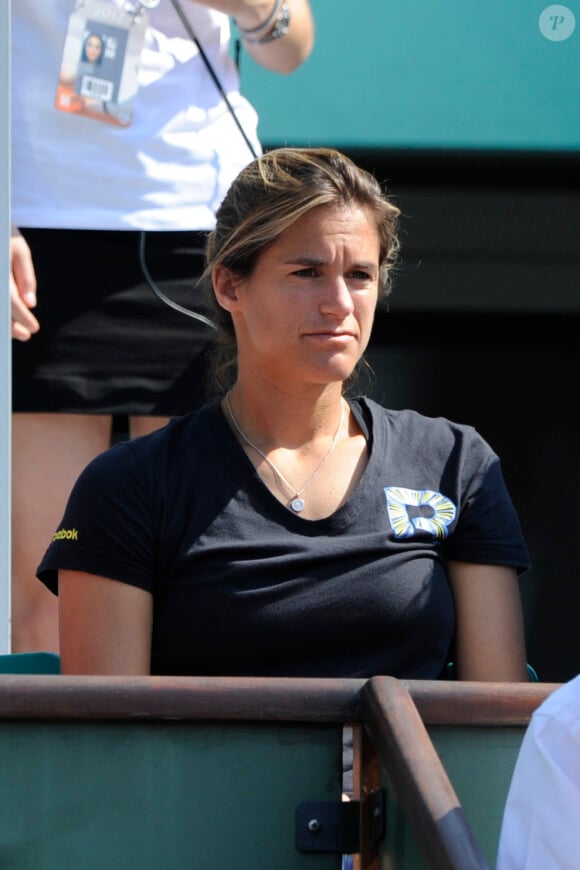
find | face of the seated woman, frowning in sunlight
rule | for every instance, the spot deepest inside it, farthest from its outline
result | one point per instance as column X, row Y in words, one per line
column 307, row 310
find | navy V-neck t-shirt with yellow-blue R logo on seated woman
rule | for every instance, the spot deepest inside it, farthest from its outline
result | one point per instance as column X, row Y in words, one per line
column 244, row 586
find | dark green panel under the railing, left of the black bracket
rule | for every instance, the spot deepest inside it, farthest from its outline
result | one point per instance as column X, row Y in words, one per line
column 145, row 796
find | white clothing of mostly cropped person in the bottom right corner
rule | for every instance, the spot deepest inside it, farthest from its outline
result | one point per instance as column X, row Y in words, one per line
column 541, row 824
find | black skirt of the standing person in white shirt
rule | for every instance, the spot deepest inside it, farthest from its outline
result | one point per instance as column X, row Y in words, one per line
column 107, row 344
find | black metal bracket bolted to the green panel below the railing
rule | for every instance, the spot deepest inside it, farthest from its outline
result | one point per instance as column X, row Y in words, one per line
column 326, row 826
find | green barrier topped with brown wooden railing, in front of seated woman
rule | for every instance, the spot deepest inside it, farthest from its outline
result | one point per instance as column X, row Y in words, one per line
column 218, row 772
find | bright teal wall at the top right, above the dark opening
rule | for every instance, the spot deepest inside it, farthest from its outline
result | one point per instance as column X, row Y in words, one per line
column 421, row 74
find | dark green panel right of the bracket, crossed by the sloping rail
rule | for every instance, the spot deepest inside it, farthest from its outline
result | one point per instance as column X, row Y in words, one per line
column 479, row 763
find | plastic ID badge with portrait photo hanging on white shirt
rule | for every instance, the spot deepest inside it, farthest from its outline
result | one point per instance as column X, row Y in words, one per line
column 100, row 63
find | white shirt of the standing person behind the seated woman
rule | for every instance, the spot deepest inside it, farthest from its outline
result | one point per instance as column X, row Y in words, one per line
column 168, row 170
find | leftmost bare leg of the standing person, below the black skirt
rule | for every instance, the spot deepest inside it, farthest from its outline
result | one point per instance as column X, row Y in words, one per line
column 48, row 453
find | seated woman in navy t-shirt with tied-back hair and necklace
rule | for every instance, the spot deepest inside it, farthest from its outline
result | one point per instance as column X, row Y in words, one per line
column 286, row 529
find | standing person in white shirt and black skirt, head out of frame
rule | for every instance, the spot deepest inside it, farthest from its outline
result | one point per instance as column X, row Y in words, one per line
column 117, row 171
